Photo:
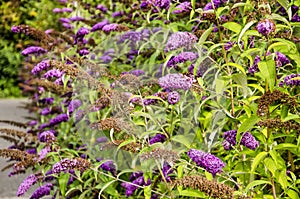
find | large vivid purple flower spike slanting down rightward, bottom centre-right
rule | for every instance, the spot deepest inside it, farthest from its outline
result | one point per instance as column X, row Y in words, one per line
column 209, row 162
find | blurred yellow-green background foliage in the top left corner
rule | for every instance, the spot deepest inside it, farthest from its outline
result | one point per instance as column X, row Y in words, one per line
column 35, row 13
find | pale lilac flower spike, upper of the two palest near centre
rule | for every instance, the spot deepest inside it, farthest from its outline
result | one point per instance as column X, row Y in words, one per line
column 179, row 40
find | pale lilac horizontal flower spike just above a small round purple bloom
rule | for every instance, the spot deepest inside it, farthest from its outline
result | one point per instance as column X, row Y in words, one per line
column 175, row 81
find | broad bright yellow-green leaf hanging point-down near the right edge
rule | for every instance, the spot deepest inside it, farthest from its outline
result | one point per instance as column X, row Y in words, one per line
column 268, row 71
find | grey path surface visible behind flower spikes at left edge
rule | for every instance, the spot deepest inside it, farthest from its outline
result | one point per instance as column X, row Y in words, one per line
column 9, row 111
